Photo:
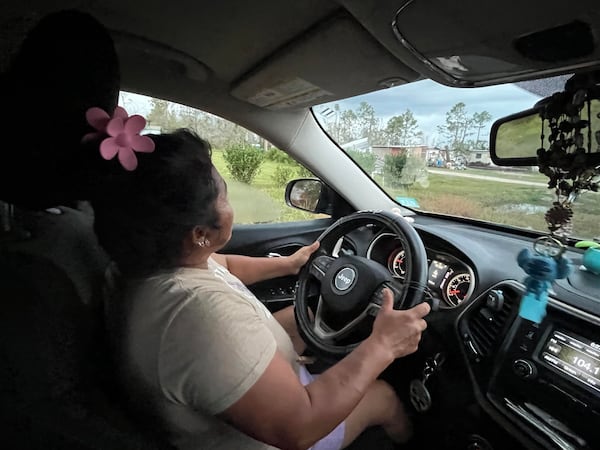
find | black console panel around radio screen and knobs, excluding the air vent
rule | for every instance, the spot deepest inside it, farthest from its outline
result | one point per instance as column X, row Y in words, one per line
column 548, row 380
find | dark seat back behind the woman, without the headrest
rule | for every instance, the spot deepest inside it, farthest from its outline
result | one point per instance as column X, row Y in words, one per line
column 56, row 380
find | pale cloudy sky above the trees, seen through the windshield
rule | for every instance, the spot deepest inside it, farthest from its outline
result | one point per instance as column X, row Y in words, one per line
column 429, row 101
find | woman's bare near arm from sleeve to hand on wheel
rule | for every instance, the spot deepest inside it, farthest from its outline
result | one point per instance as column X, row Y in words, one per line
column 278, row 410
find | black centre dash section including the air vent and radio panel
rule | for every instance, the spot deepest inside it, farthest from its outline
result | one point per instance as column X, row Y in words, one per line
column 544, row 380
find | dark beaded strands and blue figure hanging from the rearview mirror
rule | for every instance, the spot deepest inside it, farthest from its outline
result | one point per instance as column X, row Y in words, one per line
column 570, row 158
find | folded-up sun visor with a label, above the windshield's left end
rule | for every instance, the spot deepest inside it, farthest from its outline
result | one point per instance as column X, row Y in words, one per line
column 336, row 59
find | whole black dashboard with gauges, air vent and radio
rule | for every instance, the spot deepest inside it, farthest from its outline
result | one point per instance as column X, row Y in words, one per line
column 539, row 382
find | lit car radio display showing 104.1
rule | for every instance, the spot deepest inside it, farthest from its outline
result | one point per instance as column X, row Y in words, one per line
column 574, row 356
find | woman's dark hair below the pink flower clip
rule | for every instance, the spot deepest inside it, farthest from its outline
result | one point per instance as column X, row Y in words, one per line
column 143, row 216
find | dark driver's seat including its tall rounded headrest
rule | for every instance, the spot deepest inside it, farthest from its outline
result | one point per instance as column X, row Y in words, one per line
column 57, row 387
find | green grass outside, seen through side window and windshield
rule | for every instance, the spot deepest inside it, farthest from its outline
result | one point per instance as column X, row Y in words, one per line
column 494, row 201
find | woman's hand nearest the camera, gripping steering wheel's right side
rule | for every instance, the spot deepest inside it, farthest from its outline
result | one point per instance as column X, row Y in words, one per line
column 399, row 331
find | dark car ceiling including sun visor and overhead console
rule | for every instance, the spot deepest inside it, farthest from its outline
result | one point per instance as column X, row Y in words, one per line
column 286, row 55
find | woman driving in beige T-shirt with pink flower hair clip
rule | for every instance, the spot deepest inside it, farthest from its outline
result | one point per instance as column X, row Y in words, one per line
column 196, row 351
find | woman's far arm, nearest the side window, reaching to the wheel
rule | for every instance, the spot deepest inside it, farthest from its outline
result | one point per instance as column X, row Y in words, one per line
column 251, row 270
